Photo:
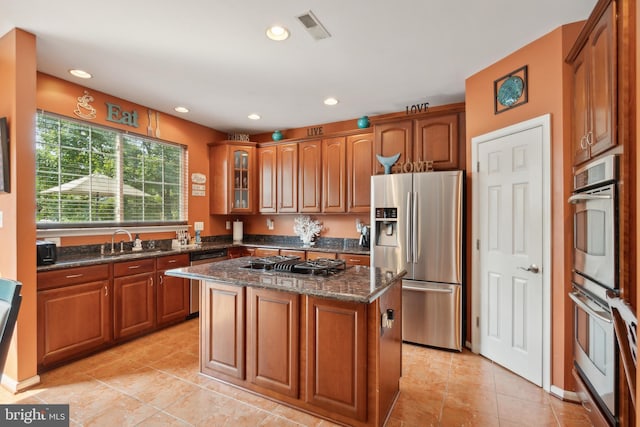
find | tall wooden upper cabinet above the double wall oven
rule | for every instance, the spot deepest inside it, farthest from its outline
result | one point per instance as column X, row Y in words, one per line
column 594, row 88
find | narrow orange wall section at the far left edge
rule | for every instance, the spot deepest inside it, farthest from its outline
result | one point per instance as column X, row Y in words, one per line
column 18, row 259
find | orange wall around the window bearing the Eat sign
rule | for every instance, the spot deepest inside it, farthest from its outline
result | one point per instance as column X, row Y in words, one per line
column 60, row 96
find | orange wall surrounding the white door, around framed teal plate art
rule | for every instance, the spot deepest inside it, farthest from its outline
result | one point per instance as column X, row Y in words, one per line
column 549, row 92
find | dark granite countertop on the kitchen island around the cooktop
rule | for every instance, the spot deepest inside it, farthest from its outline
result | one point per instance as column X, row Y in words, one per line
column 357, row 284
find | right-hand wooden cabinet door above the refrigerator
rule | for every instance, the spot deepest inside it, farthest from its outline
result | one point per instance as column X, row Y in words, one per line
column 437, row 141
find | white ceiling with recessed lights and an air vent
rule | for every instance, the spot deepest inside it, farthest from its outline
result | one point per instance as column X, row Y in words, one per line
column 213, row 56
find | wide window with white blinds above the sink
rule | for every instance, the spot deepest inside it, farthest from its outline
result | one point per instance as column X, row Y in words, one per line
column 88, row 175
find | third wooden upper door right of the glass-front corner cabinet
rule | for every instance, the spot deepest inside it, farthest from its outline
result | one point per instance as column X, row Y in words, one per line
column 309, row 176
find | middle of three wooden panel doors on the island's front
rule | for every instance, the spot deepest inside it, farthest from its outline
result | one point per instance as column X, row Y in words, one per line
column 273, row 340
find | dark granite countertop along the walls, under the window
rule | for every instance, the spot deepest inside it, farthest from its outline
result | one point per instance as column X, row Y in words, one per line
column 80, row 259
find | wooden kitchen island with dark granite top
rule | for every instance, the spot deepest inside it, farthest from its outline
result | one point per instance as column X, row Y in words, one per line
column 328, row 345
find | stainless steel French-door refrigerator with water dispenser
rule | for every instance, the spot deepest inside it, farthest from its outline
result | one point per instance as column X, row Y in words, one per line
column 416, row 223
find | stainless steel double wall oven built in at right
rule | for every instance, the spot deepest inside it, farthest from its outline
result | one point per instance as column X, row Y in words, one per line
column 595, row 272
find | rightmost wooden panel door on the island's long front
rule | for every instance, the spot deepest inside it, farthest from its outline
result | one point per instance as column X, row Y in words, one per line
column 336, row 374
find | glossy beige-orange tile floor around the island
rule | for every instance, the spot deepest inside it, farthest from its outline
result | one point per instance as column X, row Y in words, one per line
column 154, row 381
